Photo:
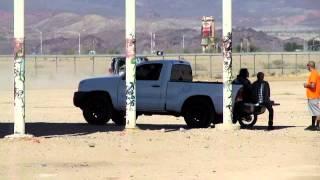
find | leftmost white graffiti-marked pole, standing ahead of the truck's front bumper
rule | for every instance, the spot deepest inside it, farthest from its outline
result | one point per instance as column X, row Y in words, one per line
column 19, row 71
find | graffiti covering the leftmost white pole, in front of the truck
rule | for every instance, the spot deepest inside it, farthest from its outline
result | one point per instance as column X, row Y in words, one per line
column 19, row 75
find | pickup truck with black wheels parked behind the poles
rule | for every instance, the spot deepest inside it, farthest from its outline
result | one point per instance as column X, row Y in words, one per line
column 163, row 87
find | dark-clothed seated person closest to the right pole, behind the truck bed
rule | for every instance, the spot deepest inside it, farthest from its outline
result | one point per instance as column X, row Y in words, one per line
column 242, row 79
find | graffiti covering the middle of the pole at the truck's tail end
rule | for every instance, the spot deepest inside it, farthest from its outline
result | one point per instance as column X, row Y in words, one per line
column 227, row 65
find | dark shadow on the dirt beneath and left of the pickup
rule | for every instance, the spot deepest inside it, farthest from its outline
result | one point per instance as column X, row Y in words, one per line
column 43, row 129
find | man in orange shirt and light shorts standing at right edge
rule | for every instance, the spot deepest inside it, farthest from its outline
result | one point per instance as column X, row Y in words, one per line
column 312, row 91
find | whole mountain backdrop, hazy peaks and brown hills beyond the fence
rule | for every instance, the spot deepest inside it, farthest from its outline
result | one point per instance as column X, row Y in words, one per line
column 101, row 22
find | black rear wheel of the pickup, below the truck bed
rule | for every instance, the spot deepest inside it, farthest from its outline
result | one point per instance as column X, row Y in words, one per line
column 198, row 113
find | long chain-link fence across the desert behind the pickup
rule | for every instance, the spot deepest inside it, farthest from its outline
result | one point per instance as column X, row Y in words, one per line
column 68, row 69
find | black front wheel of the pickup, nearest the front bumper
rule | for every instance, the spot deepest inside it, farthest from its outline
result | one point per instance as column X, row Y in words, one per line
column 97, row 110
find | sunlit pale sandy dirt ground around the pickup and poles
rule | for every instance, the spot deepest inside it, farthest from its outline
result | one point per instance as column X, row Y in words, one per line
column 65, row 147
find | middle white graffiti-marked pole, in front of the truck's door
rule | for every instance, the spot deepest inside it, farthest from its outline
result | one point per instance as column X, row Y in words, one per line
column 131, row 64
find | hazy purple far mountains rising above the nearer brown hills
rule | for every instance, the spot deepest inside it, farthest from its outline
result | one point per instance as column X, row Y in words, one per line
column 248, row 13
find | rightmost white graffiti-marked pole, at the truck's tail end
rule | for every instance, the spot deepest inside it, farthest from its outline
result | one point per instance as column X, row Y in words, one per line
column 227, row 65
